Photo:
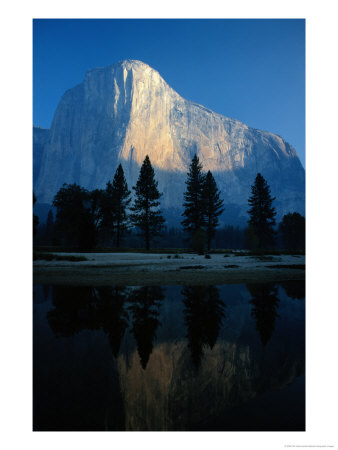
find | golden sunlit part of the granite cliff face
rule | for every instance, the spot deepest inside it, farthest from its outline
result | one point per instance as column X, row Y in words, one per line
column 163, row 124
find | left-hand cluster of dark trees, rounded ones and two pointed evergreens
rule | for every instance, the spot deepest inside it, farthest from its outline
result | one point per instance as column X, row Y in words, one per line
column 83, row 218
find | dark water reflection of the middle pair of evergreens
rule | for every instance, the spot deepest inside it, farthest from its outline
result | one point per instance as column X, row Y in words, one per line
column 203, row 315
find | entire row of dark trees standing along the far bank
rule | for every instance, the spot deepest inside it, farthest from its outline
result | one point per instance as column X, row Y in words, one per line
column 108, row 216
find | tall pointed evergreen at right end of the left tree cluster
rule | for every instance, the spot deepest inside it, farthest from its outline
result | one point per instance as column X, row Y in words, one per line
column 145, row 215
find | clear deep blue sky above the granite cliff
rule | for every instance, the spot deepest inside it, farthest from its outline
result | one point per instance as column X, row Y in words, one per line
column 251, row 70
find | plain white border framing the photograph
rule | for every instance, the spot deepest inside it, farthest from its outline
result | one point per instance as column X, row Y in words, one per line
column 321, row 172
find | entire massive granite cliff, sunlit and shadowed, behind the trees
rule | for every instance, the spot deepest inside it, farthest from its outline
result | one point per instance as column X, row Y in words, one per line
column 123, row 112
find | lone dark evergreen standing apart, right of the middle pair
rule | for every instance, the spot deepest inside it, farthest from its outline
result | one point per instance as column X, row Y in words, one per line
column 262, row 213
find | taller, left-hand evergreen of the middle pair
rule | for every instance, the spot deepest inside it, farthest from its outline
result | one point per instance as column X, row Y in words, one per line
column 193, row 199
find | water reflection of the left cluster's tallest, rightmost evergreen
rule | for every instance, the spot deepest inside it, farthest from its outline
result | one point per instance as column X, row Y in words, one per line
column 145, row 302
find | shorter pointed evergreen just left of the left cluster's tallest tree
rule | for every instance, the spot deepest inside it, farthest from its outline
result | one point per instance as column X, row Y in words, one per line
column 116, row 199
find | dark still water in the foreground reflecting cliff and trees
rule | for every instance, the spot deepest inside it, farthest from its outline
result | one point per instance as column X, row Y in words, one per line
column 218, row 358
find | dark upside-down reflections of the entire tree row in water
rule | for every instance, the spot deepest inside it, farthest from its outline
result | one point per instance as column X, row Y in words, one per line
column 115, row 309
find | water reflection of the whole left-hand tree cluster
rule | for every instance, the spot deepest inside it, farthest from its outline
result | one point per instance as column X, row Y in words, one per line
column 80, row 308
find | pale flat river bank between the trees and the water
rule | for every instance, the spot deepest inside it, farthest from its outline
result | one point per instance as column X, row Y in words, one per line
column 163, row 269
